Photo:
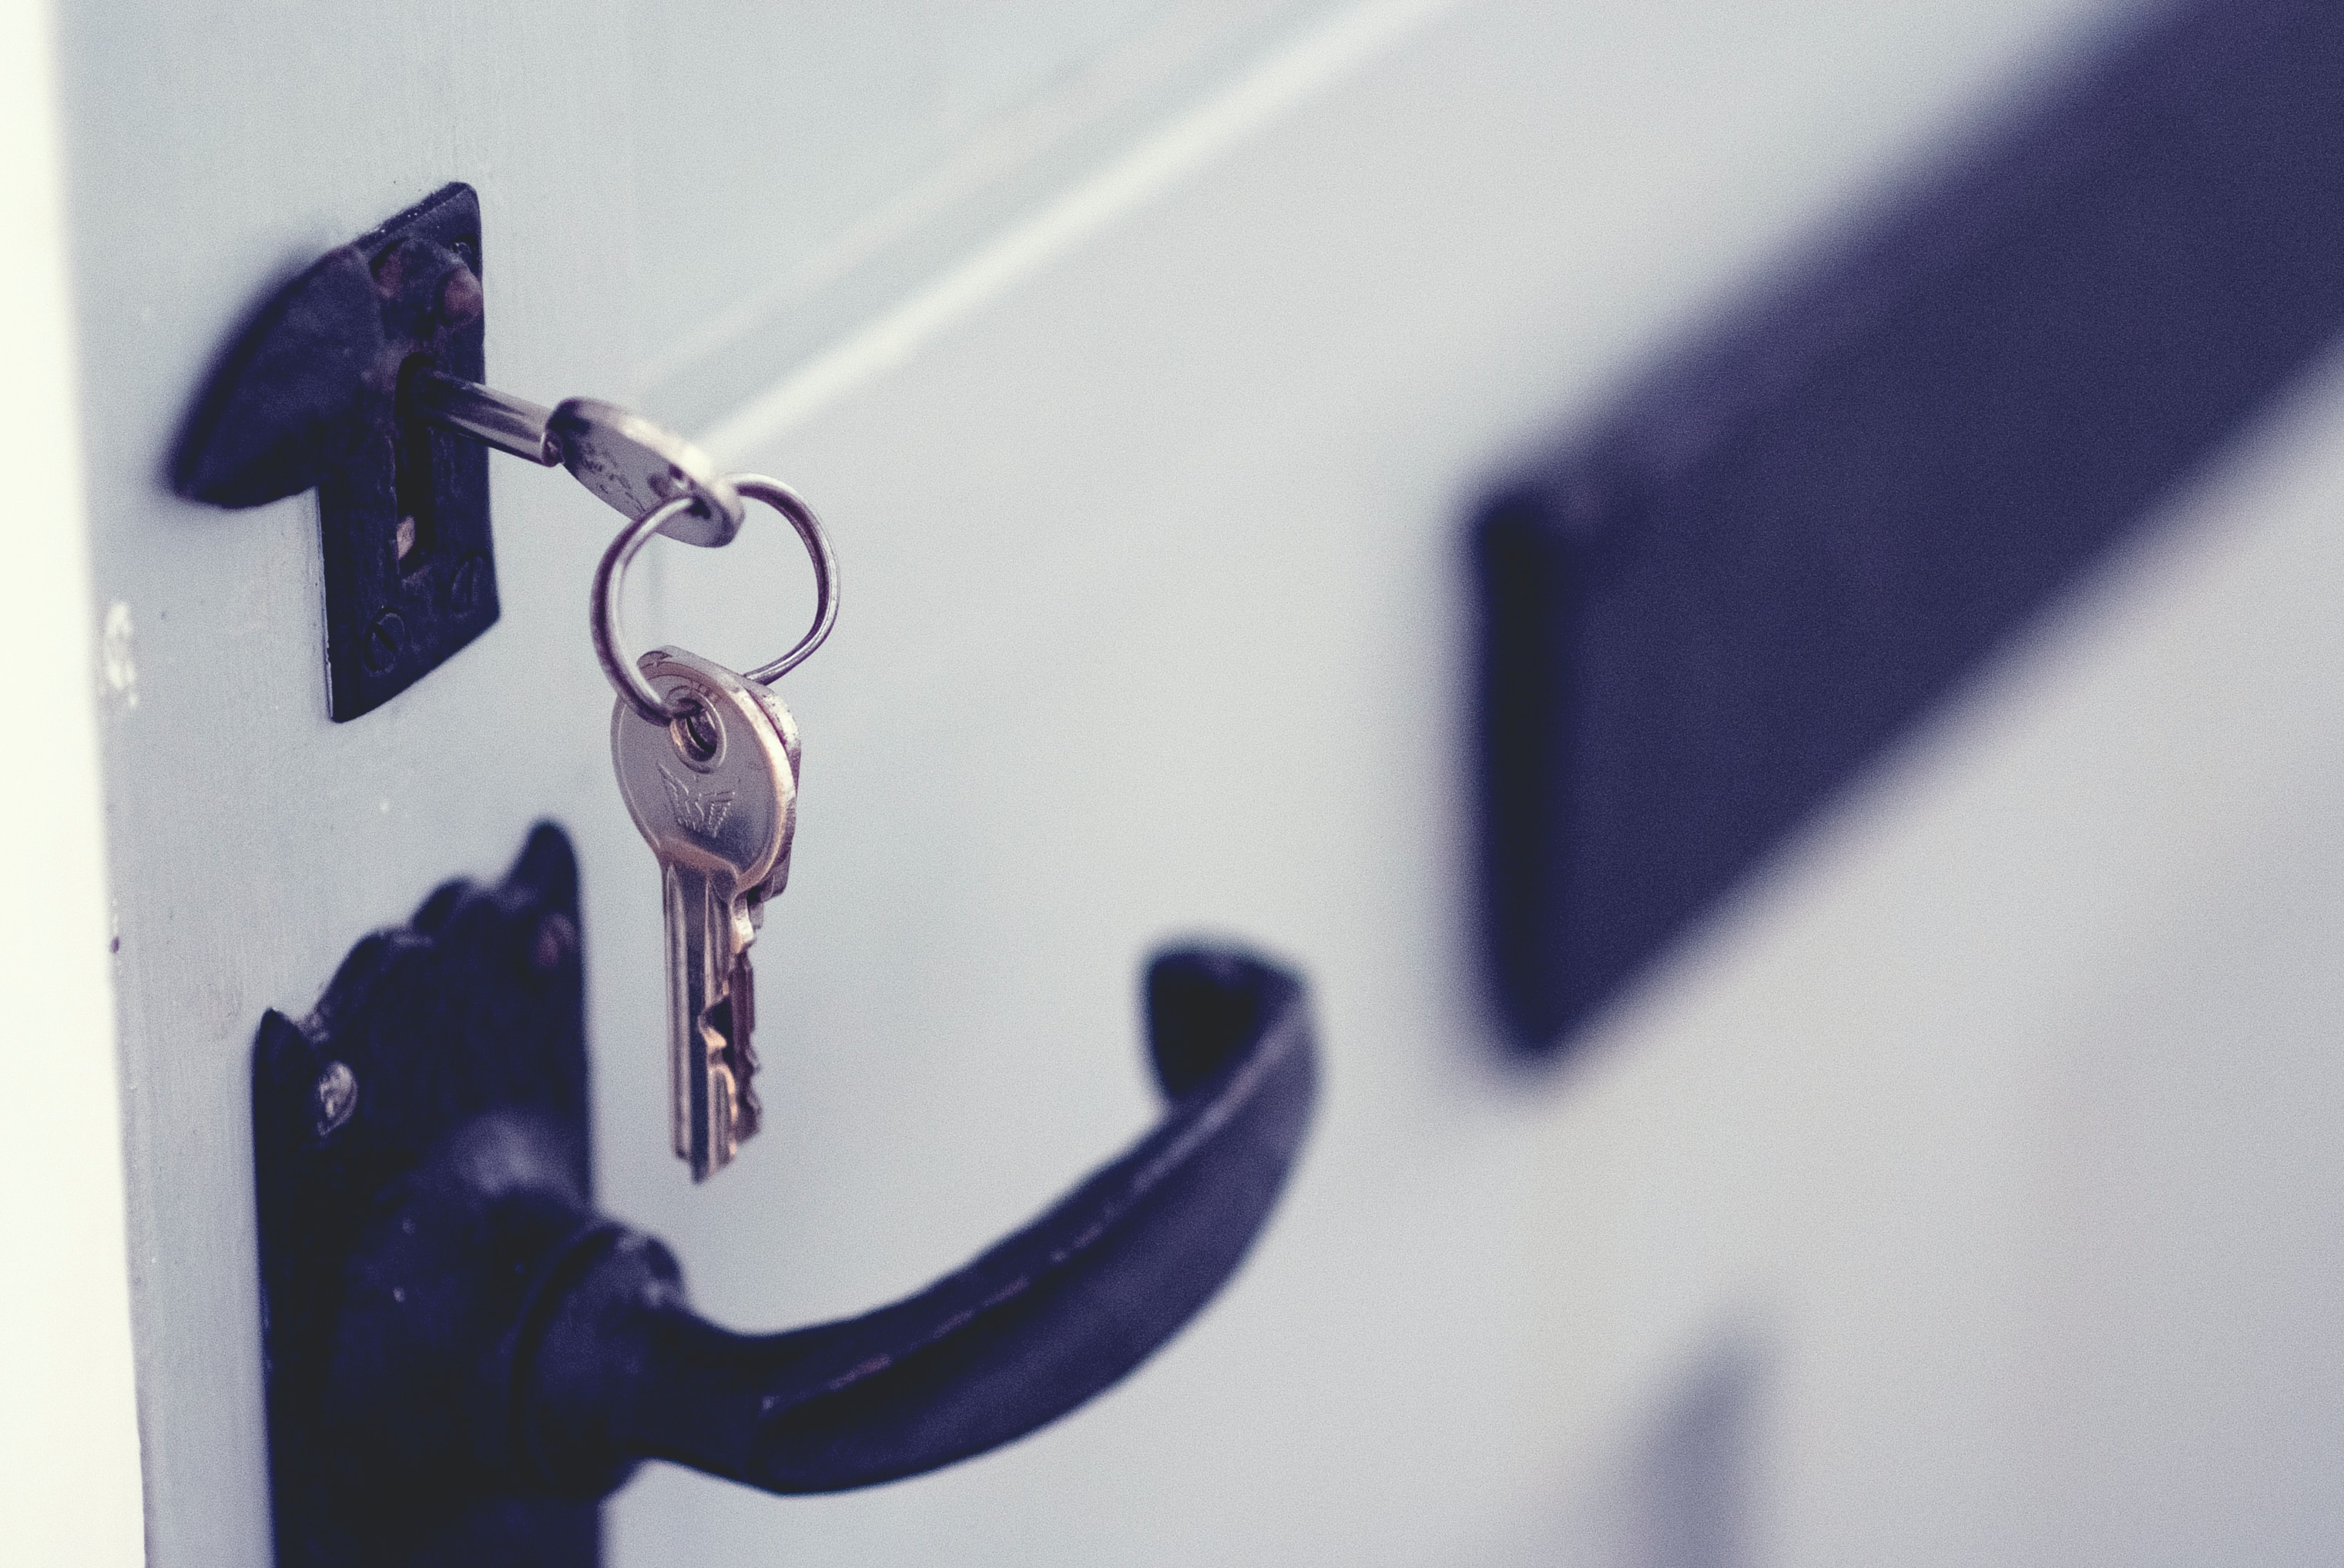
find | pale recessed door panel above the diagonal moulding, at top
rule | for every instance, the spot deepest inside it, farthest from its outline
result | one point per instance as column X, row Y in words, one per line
column 868, row 149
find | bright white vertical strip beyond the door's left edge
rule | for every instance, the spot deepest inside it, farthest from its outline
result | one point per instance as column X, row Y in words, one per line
column 69, row 1438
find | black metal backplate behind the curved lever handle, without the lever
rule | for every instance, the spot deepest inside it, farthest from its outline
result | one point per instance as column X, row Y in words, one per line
column 475, row 1009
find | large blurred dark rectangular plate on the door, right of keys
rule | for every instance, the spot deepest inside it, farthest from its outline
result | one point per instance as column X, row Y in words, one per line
column 1708, row 613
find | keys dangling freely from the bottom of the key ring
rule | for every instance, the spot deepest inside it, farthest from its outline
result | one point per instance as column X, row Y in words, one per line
column 716, row 798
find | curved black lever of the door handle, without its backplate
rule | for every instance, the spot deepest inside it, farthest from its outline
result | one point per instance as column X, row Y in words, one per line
column 1023, row 1335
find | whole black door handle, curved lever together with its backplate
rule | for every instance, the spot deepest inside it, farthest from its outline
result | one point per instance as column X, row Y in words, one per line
column 465, row 1356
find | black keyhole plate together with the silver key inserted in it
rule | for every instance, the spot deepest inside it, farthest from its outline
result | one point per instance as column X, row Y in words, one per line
column 362, row 381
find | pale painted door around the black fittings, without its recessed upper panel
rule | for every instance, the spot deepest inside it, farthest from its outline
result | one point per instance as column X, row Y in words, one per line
column 1975, row 1166
